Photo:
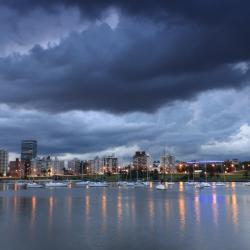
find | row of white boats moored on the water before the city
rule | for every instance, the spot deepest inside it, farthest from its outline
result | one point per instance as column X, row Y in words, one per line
column 136, row 184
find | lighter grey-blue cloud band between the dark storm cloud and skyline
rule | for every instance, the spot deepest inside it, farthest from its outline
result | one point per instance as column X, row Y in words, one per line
column 183, row 128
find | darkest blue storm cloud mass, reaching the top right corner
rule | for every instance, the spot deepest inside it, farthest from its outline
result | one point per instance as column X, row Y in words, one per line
column 172, row 50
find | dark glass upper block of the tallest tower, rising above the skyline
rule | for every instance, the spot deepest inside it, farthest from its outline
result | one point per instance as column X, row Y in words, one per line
column 28, row 150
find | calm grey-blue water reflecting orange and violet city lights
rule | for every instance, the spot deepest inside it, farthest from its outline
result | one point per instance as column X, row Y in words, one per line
column 118, row 218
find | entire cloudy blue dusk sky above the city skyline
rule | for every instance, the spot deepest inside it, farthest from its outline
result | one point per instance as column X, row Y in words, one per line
column 87, row 78
